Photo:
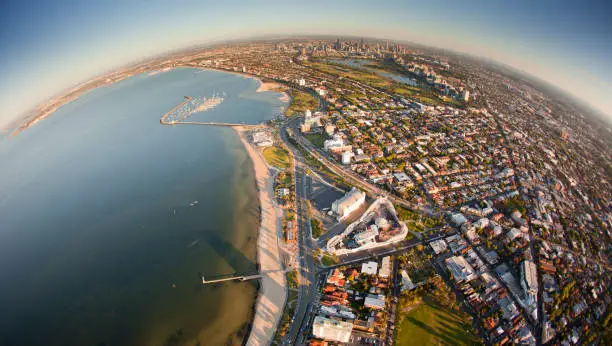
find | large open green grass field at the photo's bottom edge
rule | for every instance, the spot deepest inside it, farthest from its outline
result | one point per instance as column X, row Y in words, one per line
column 429, row 323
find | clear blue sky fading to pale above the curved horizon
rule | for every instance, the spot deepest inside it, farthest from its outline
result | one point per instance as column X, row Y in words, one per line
column 47, row 46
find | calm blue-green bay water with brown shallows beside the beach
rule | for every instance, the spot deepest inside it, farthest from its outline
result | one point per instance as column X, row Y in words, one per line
column 108, row 218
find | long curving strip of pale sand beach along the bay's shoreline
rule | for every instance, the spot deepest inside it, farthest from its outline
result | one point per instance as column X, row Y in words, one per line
column 273, row 290
